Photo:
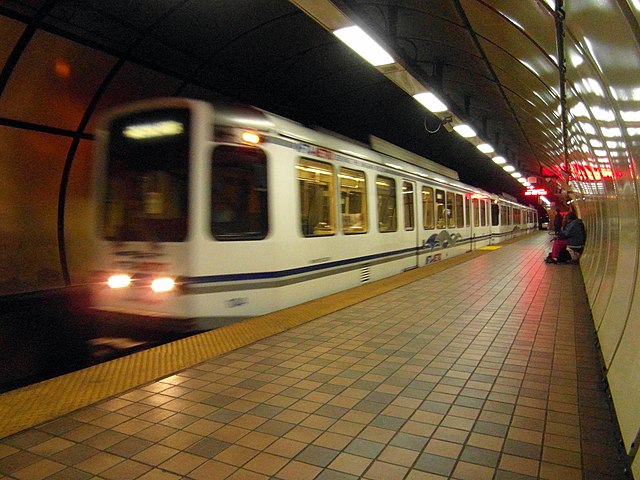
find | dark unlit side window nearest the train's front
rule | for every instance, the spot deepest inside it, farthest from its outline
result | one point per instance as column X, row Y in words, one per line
column 239, row 194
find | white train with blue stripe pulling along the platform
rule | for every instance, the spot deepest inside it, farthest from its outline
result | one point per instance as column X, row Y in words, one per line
column 212, row 213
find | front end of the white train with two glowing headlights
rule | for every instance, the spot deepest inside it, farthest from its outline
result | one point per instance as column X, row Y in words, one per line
column 143, row 220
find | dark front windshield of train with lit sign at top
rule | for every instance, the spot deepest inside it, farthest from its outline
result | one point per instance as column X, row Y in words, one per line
column 147, row 171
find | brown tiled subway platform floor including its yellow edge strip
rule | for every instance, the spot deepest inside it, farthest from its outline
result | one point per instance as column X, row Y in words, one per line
column 485, row 366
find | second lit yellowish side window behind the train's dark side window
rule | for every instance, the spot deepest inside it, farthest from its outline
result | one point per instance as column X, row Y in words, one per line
column 353, row 200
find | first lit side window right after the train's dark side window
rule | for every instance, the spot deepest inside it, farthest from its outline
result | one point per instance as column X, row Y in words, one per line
column 317, row 201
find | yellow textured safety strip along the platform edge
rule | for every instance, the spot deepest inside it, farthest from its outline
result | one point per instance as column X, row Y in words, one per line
column 32, row 405
